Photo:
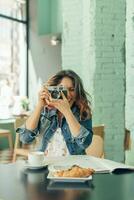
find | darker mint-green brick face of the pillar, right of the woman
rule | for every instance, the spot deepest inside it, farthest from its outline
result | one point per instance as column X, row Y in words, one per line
column 110, row 74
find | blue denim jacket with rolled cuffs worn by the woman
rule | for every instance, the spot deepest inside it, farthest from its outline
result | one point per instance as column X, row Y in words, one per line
column 48, row 123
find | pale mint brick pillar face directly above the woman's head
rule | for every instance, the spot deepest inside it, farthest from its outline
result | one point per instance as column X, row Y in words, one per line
column 72, row 36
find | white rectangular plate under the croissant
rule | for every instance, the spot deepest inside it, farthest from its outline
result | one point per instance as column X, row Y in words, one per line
column 68, row 179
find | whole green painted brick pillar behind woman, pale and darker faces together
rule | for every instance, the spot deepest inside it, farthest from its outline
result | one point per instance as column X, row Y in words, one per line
column 93, row 46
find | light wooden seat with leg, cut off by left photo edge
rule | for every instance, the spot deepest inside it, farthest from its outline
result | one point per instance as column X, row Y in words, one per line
column 7, row 133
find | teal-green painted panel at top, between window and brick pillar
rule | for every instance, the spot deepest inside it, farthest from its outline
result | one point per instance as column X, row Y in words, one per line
column 49, row 13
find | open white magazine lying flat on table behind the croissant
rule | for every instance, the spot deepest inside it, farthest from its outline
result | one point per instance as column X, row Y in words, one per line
column 100, row 165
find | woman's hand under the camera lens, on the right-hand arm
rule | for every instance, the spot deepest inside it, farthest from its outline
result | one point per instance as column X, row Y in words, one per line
column 61, row 104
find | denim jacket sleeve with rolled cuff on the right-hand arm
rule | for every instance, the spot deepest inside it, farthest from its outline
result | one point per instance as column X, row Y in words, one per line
column 84, row 139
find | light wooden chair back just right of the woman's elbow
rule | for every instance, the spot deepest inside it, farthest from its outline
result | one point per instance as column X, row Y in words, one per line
column 96, row 148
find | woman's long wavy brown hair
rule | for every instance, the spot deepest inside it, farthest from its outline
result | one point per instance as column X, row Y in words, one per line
column 81, row 100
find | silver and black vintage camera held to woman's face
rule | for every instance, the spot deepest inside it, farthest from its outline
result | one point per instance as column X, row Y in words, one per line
column 55, row 91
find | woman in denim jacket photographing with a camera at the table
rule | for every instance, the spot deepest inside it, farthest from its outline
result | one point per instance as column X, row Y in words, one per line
column 64, row 125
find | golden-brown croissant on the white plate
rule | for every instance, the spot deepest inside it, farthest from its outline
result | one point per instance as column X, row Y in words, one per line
column 74, row 171
